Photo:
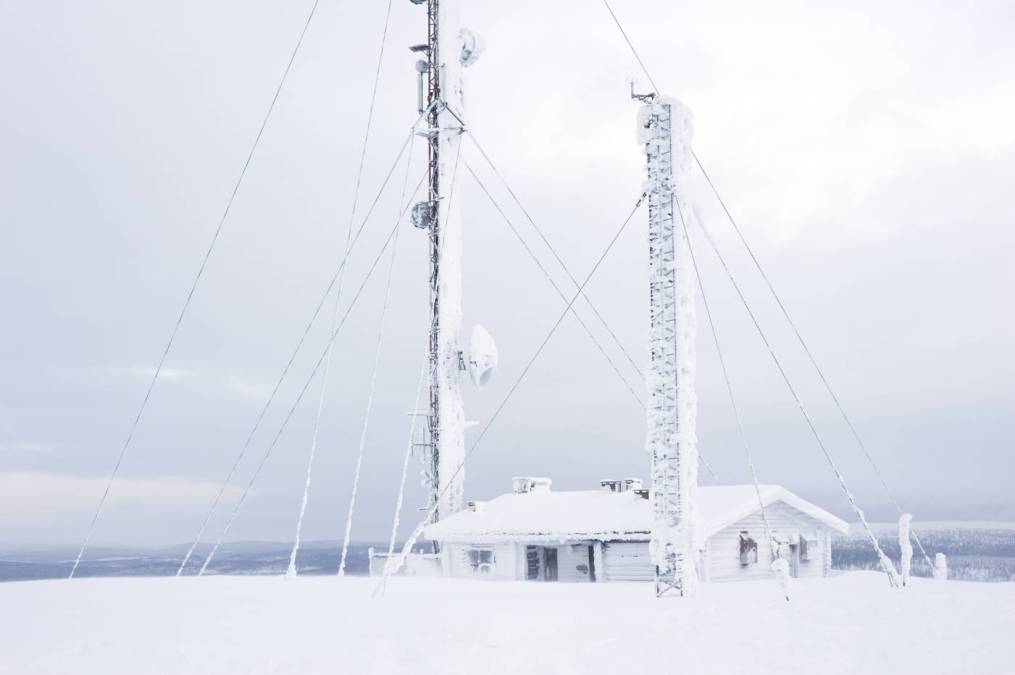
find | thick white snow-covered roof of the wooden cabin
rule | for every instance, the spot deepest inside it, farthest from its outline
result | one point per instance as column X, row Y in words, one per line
column 552, row 516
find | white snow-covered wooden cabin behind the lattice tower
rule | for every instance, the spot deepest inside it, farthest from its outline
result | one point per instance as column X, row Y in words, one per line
column 535, row 533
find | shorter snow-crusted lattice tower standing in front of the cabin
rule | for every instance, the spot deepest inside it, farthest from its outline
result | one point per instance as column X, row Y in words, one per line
column 665, row 131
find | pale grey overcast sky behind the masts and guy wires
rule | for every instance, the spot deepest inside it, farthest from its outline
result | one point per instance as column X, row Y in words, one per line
column 867, row 151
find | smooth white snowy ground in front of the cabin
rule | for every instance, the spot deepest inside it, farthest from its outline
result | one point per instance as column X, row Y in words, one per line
column 852, row 624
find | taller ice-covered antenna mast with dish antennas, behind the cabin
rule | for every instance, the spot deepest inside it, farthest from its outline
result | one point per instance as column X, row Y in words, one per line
column 448, row 49
